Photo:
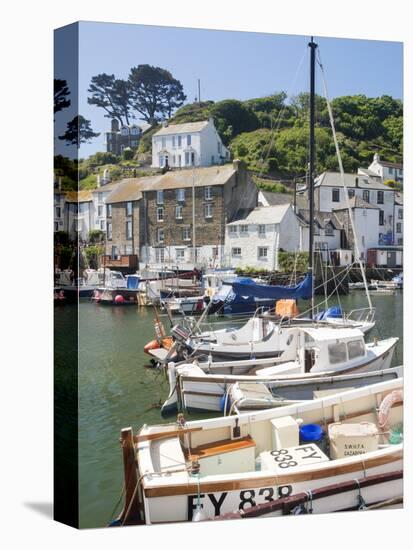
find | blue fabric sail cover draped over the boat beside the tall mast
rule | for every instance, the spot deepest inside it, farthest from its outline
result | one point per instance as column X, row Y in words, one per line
column 248, row 287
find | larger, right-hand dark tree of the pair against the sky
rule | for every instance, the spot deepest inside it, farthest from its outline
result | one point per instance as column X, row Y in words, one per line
column 154, row 92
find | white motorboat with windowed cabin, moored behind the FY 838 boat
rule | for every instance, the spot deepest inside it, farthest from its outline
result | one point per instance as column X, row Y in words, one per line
column 201, row 386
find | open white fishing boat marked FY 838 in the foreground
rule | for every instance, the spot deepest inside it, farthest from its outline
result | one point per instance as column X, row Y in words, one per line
column 197, row 470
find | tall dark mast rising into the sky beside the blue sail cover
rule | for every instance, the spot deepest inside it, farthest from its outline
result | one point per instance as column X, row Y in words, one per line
column 312, row 45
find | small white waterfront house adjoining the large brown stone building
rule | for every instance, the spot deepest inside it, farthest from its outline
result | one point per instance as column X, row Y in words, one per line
column 256, row 239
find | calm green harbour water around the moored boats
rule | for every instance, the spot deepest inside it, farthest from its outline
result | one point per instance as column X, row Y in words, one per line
column 116, row 391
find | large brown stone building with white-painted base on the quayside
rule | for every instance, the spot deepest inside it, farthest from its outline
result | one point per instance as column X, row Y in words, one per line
column 178, row 218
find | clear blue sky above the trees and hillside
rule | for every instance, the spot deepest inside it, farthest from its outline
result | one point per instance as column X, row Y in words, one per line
column 229, row 64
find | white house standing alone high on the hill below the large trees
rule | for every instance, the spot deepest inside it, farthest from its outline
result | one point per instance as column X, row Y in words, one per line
column 189, row 144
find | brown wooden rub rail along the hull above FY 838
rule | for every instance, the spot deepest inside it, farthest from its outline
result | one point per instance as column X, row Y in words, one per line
column 270, row 480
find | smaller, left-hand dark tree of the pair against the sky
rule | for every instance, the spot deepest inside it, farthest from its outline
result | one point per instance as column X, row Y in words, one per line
column 112, row 95
